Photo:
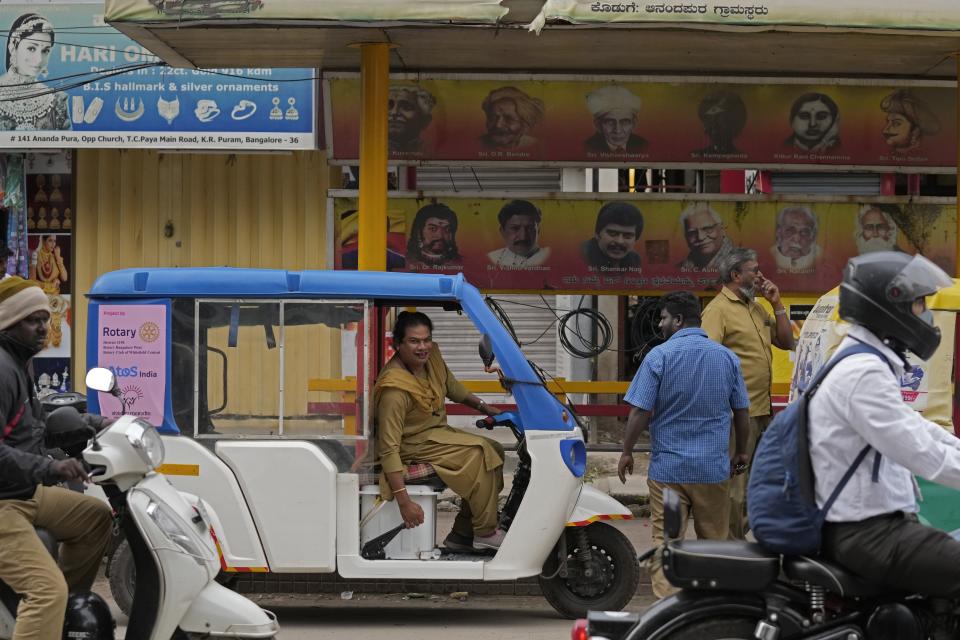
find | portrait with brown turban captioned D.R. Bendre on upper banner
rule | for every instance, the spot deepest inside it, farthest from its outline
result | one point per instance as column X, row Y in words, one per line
column 511, row 115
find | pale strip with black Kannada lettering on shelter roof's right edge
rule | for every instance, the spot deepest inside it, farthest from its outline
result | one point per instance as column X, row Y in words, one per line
column 878, row 14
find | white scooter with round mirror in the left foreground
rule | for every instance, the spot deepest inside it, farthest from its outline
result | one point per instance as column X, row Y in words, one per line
column 171, row 537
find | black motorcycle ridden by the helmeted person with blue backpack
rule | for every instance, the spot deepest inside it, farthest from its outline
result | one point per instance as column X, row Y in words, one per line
column 735, row 589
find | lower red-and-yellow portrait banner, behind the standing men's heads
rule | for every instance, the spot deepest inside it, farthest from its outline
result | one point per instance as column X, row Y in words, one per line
column 550, row 244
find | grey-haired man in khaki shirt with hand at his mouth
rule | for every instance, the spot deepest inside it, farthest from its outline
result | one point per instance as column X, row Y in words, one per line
column 737, row 321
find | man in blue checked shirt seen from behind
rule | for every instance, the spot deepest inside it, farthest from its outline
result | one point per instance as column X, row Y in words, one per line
column 684, row 393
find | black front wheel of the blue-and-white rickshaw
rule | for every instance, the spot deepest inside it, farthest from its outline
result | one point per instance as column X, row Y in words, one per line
column 602, row 574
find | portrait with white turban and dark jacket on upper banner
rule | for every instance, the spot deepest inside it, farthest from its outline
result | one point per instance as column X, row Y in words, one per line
column 614, row 112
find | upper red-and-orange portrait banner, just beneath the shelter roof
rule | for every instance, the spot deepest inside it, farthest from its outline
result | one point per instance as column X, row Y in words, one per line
column 559, row 121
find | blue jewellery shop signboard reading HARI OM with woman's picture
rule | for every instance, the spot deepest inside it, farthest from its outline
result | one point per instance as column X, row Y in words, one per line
column 70, row 80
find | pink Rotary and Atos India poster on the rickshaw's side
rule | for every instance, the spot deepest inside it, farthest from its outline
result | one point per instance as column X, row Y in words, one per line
column 131, row 342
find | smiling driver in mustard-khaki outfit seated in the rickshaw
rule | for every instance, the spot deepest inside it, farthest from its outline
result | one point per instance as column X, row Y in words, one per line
column 411, row 424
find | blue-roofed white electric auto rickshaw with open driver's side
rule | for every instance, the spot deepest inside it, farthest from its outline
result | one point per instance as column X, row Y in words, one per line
column 223, row 361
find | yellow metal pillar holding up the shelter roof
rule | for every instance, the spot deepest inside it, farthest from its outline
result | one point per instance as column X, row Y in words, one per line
column 374, row 78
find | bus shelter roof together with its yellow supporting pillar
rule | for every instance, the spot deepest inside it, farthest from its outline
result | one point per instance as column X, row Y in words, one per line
column 858, row 40
